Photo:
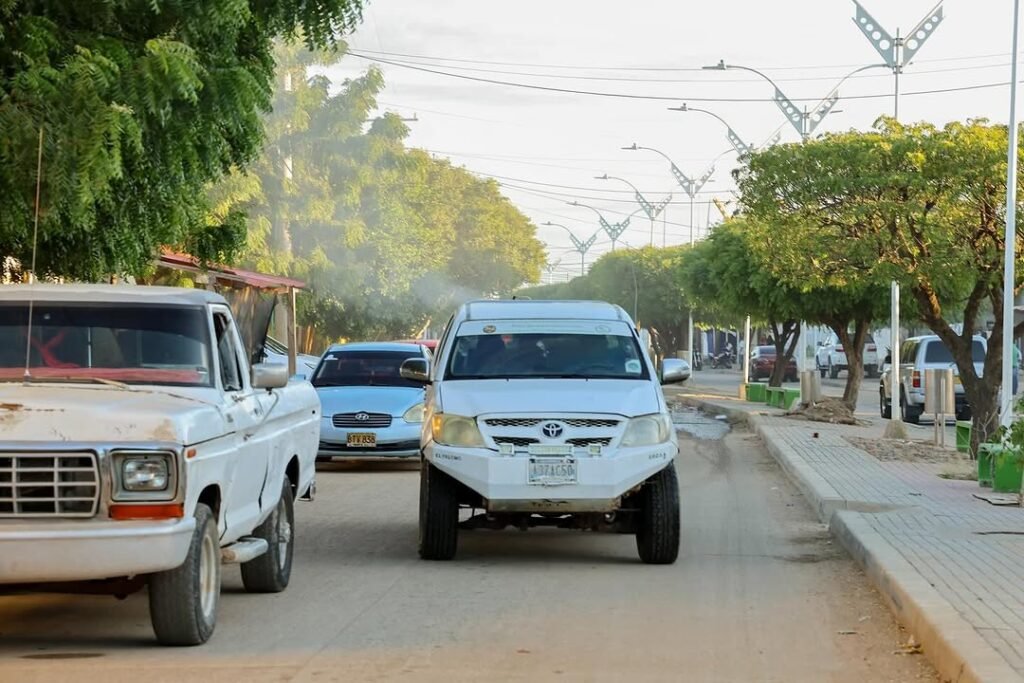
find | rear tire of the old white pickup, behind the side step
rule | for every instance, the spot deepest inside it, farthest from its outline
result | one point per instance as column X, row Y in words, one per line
column 271, row 572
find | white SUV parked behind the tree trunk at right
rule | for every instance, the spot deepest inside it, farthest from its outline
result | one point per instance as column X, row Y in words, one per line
column 917, row 356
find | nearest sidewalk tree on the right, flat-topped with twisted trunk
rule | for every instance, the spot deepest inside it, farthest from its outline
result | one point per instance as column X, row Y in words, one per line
column 914, row 203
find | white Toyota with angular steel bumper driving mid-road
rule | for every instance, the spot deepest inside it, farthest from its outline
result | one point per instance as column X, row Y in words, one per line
column 547, row 414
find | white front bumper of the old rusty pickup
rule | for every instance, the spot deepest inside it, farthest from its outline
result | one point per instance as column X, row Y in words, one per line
column 46, row 551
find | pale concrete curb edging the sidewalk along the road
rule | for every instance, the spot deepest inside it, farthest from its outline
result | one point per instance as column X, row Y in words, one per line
column 951, row 644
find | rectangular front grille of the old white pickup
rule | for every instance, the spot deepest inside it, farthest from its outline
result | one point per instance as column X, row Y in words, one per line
column 49, row 485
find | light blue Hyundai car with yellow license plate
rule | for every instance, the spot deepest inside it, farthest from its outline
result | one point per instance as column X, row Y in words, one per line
column 369, row 409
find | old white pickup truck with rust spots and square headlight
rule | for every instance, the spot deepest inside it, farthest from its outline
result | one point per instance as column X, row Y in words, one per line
column 139, row 449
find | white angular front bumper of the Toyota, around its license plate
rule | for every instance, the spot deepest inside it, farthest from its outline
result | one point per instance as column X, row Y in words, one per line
column 503, row 481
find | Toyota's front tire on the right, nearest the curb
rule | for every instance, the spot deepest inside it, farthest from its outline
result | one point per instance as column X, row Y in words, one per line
column 658, row 528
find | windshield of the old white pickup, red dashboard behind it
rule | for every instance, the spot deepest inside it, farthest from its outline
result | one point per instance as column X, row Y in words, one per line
column 135, row 345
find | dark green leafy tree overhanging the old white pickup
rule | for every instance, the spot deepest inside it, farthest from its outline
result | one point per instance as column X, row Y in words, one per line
column 142, row 106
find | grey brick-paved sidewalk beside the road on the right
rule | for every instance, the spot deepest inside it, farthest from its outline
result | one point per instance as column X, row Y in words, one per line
column 970, row 551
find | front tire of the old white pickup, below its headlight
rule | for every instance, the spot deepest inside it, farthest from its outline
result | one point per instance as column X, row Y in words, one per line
column 184, row 602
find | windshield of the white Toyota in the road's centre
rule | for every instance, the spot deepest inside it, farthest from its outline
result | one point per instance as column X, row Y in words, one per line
column 547, row 355
